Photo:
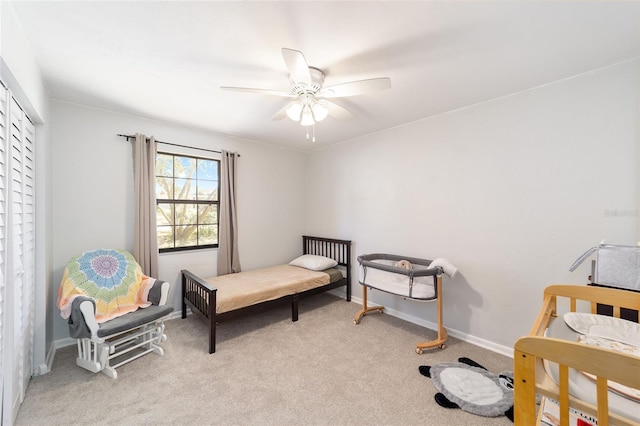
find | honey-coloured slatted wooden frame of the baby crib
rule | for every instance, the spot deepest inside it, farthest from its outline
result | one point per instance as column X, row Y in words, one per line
column 529, row 373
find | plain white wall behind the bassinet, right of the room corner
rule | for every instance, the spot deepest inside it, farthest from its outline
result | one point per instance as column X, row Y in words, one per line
column 511, row 191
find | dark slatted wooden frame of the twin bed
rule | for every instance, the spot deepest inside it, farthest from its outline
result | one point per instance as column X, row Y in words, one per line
column 200, row 296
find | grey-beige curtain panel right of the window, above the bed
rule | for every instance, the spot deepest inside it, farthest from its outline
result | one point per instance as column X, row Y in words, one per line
column 228, row 253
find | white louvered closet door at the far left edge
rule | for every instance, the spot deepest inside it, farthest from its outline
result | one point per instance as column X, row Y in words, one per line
column 17, row 254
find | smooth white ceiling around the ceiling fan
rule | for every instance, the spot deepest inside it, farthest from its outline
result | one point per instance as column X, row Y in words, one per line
column 167, row 60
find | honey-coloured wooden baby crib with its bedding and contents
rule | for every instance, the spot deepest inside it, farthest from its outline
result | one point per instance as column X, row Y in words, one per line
column 588, row 364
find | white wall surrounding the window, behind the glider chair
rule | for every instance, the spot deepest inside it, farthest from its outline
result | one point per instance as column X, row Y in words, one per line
column 93, row 193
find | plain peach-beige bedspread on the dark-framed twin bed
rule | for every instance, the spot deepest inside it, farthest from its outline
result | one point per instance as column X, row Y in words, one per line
column 251, row 287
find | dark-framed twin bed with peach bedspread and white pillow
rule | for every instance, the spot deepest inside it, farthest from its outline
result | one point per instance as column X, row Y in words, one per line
column 324, row 265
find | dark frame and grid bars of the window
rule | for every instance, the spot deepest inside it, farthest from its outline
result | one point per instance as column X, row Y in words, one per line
column 196, row 202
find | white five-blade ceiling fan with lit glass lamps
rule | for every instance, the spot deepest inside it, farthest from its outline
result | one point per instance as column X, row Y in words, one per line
column 310, row 102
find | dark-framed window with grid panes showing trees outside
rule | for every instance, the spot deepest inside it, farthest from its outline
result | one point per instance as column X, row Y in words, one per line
column 187, row 198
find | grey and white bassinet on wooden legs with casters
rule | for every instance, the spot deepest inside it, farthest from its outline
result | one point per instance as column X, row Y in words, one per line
column 409, row 277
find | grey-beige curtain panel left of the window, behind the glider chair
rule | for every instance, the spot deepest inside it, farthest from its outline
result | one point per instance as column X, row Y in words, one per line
column 145, row 244
